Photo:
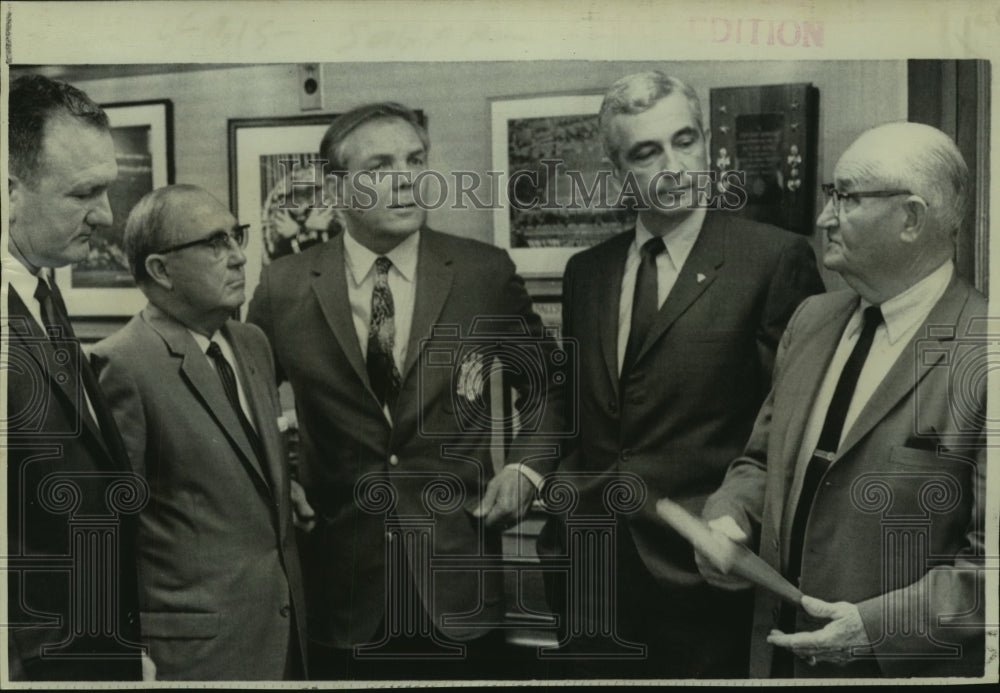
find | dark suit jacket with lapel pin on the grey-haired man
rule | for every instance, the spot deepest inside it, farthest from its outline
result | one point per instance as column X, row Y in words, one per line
column 698, row 380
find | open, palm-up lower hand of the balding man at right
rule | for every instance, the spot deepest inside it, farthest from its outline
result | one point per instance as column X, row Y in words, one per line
column 834, row 642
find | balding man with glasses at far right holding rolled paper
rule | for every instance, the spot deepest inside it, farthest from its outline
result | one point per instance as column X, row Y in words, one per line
column 863, row 479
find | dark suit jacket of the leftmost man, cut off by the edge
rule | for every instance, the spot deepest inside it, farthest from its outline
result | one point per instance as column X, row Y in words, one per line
column 52, row 437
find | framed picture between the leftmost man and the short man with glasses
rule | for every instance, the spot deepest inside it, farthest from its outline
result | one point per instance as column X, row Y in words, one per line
column 101, row 285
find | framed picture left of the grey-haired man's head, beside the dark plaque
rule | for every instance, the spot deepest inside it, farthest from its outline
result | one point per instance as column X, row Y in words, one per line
column 561, row 196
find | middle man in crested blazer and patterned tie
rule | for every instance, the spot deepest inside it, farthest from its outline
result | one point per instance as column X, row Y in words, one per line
column 381, row 333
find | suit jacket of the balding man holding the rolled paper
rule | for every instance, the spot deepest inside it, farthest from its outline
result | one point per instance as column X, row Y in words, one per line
column 911, row 469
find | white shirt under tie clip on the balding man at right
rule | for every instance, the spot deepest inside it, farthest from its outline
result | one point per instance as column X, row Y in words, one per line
column 903, row 315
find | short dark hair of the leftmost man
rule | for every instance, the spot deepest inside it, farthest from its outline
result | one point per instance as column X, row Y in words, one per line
column 34, row 101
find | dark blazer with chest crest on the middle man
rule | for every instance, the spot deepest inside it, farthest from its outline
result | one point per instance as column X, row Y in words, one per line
column 353, row 459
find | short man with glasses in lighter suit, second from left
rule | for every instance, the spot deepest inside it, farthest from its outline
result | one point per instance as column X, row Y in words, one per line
column 193, row 392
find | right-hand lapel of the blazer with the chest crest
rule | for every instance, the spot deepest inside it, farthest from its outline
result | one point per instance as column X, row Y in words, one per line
column 434, row 279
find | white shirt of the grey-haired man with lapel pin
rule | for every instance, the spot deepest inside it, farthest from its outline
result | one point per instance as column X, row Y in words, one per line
column 678, row 243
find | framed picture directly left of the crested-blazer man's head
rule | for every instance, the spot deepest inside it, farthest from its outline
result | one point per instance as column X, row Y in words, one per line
column 256, row 146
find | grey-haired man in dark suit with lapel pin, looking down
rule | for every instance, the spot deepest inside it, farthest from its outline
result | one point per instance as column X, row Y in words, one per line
column 677, row 323
